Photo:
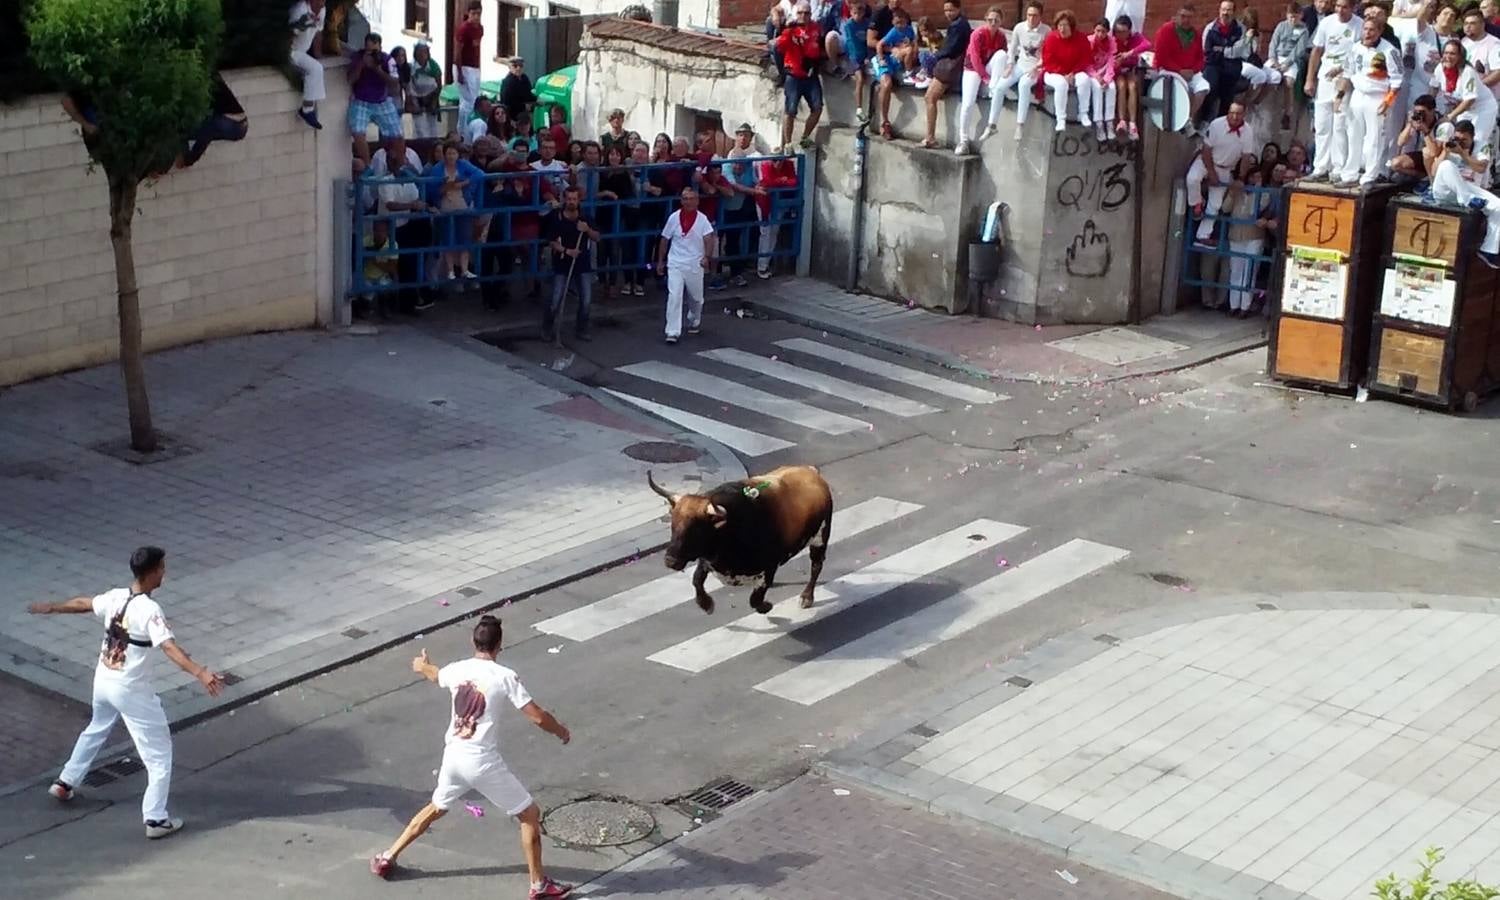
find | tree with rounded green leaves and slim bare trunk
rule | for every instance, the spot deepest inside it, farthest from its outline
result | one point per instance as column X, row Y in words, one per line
column 139, row 76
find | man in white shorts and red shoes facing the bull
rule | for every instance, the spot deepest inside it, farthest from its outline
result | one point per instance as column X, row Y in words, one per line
column 472, row 758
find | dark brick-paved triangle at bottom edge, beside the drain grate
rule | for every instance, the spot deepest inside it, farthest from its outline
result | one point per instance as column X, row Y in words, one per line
column 817, row 839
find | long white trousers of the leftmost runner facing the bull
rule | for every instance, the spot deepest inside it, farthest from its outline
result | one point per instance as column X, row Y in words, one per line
column 145, row 719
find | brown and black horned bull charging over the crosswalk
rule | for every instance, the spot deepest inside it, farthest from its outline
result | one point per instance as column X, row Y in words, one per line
column 745, row 530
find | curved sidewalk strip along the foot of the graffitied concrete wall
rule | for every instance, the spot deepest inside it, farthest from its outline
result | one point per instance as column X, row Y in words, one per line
column 994, row 349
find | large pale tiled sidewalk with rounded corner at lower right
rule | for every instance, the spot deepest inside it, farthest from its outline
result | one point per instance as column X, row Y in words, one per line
column 1280, row 748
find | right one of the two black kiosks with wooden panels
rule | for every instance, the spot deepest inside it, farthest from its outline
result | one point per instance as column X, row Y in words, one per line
column 1436, row 335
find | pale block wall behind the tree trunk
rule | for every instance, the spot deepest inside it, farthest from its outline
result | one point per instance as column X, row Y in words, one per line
column 242, row 242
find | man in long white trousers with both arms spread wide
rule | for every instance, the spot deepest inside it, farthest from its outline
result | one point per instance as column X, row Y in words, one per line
column 122, row 689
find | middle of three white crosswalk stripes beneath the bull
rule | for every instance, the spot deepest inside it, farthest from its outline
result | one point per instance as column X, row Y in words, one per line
column 907, row 566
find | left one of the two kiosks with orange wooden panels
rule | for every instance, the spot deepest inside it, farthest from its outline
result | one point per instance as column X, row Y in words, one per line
column 1327, row 283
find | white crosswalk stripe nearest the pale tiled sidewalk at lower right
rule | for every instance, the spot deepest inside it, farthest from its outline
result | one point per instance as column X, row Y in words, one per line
column 880, row 650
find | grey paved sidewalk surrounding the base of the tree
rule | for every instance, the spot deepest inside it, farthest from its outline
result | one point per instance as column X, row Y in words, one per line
column 341, row 493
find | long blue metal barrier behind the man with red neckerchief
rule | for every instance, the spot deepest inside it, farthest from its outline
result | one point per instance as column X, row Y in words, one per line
column 514, row 247
